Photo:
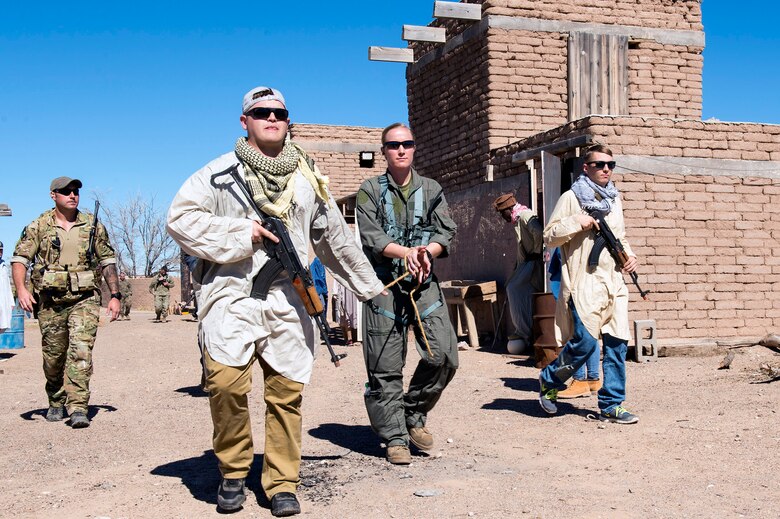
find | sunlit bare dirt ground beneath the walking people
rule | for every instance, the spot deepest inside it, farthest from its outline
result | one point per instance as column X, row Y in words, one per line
column 707, row 444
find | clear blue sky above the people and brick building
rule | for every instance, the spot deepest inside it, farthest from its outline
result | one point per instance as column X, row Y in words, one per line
column 135, row 96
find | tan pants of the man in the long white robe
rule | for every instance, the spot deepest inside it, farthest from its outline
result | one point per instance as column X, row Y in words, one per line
column 228, row 388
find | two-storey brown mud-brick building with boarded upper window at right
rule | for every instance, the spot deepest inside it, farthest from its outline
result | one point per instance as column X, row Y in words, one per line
column 509, row 102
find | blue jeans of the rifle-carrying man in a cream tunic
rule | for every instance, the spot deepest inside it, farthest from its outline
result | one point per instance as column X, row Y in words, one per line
column 574, row 354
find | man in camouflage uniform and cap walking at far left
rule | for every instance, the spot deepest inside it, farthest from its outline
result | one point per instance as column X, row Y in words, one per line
column 65, row 280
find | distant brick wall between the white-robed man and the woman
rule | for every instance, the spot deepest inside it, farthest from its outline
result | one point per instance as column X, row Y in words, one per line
column 335, row 150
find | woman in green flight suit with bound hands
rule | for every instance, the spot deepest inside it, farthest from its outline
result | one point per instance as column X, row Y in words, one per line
column 404, row 223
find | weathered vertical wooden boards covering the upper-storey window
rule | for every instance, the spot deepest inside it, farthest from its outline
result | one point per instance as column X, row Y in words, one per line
column 598, row 74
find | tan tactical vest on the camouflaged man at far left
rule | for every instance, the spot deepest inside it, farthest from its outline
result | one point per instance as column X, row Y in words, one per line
column 50, row 277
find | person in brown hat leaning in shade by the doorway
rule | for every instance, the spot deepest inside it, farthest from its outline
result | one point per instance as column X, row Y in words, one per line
column 528, row 275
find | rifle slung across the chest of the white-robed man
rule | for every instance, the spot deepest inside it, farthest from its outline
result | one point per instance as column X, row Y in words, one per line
column 282, row 256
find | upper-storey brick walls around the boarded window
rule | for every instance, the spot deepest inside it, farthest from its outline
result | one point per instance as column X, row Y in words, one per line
column 500, row 85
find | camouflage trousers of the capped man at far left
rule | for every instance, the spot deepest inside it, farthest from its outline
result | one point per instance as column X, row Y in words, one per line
column 68, row 335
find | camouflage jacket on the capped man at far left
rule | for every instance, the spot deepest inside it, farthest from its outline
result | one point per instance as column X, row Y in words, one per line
column 40, row 247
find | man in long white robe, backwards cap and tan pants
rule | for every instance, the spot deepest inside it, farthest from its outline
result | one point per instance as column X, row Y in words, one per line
column 212, row 220
